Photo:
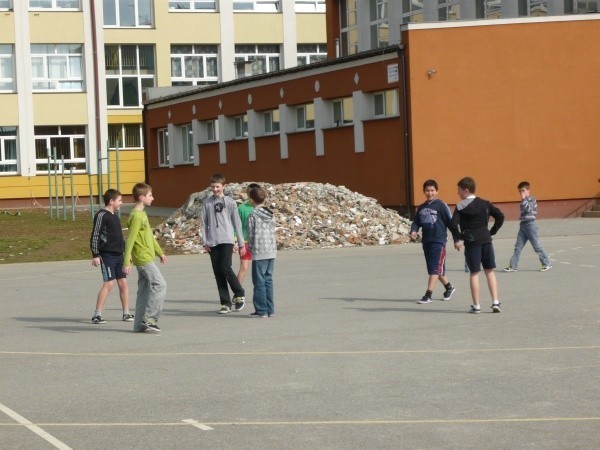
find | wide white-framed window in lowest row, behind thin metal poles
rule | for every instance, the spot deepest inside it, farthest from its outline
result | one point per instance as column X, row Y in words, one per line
column 66, row 142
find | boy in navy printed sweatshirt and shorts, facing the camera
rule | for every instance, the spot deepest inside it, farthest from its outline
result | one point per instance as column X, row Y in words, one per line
column 434, row 218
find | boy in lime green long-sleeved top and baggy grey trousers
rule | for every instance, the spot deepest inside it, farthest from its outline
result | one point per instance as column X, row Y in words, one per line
column 142, row 248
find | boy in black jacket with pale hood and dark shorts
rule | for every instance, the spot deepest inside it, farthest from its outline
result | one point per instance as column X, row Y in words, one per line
column 471, row 215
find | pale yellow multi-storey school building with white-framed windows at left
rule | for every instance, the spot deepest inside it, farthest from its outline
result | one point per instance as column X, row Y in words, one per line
column 73, row 73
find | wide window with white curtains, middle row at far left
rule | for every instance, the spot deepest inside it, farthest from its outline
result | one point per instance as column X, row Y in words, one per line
column 57, row 67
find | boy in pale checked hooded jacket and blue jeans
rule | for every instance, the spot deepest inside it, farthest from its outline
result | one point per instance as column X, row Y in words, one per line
column 263, row 246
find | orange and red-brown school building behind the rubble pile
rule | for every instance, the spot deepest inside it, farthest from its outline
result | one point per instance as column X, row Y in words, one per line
column 409, row 91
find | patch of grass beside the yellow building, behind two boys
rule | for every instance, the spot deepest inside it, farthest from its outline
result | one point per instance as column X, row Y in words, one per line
column 30, row 235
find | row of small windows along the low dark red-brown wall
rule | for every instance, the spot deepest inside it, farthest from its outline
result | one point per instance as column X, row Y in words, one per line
column 180, row 148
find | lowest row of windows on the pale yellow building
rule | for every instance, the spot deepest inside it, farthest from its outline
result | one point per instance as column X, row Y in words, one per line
column 64, row 144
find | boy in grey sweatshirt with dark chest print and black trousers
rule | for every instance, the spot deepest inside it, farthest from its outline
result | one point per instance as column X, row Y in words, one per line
column 218, row 220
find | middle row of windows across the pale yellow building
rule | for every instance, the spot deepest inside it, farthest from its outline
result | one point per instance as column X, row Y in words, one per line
column 131, row 68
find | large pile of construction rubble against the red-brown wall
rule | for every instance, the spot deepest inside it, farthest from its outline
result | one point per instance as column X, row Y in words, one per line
column 307, row 216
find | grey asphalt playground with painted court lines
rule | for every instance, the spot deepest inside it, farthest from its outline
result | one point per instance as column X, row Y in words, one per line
column 350, row 360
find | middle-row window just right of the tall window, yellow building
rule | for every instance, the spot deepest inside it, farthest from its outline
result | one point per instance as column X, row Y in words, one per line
column 194, row 65
